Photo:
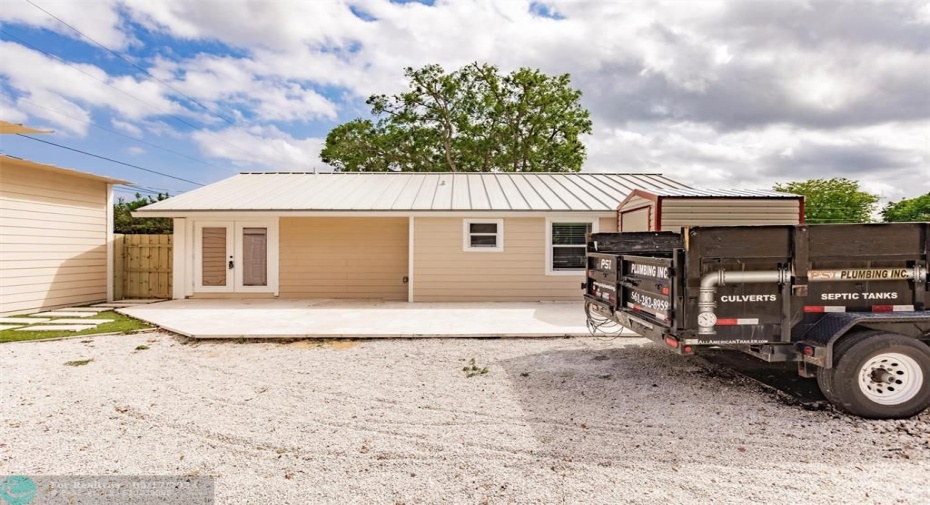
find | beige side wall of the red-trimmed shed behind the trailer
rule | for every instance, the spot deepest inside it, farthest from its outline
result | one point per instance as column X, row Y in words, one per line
column 678, row 212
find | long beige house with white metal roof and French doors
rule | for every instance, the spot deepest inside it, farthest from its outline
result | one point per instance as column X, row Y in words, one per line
column 393, row 236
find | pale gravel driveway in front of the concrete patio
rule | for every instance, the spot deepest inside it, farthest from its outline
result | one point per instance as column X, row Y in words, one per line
column 552, row 421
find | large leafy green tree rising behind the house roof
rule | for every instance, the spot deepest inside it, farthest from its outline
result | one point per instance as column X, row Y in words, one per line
column 471, row 120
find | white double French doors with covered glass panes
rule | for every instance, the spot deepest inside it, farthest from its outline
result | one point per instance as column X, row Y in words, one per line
column 235, row 257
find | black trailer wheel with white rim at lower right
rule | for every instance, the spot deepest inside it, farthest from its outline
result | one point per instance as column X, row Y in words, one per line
column 878, row 375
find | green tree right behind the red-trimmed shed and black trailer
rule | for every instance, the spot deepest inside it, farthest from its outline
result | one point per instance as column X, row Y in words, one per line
column 837, row 200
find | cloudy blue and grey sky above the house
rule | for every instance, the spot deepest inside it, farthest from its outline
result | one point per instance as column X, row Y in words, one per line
column 715, row 94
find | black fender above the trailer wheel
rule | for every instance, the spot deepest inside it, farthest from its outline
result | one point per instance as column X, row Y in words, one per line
column 817, row 345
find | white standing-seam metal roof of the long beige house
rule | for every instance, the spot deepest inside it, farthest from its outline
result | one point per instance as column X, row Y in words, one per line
column 409, row 191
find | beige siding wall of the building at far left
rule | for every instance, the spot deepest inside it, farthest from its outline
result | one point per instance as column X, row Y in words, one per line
column 53, row 233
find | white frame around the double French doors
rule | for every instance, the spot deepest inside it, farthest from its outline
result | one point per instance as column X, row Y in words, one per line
column 234, row 247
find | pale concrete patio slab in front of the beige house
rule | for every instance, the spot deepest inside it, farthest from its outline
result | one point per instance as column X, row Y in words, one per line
column 361, row 319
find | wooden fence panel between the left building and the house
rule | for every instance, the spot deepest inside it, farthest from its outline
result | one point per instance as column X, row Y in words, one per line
column 142, row 266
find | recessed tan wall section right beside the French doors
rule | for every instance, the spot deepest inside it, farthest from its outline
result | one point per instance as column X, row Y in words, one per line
column 344, row 257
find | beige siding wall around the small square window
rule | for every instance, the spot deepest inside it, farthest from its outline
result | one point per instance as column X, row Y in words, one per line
column 443, row 271
